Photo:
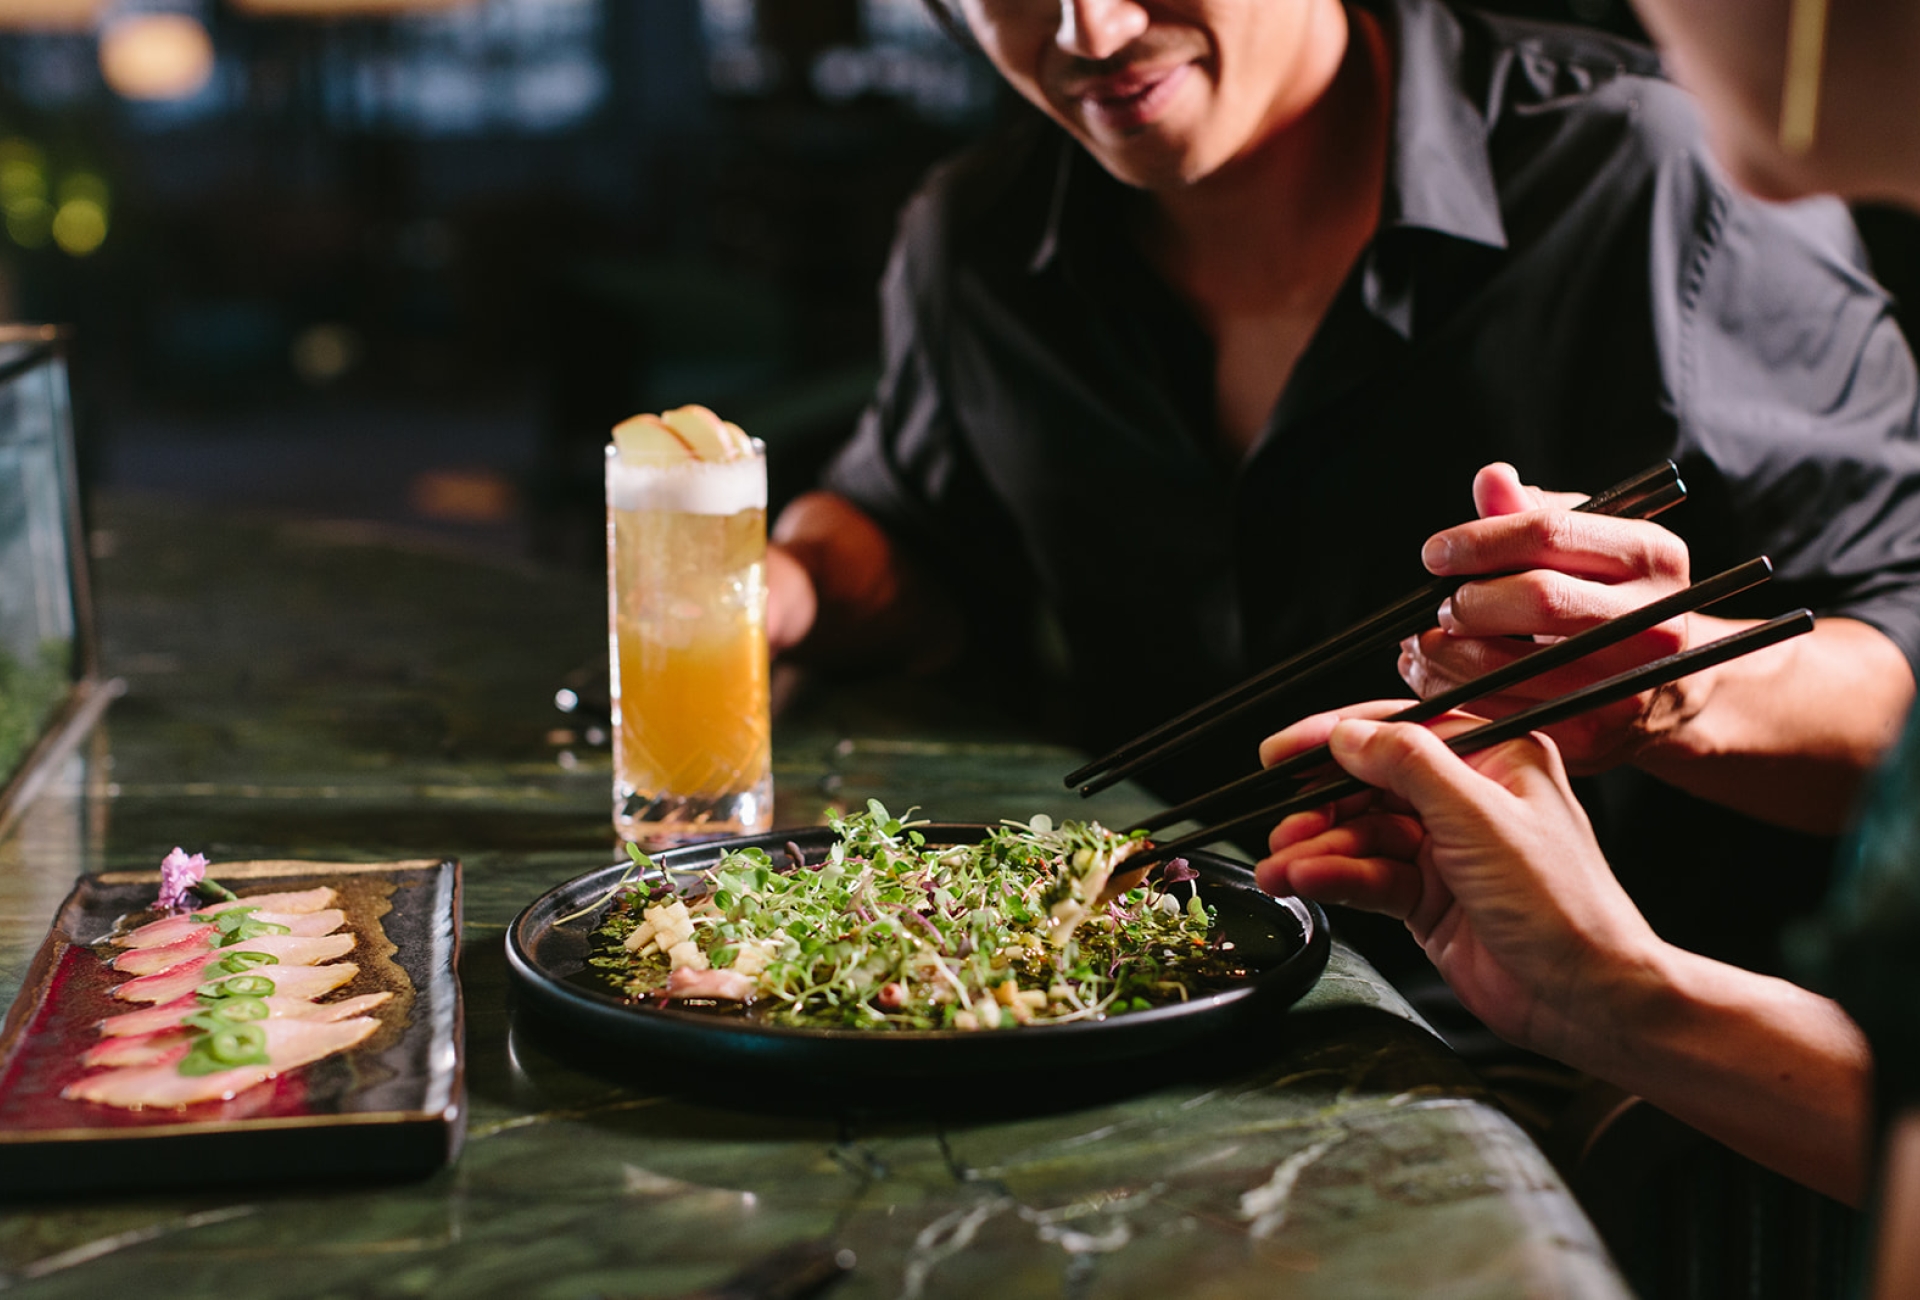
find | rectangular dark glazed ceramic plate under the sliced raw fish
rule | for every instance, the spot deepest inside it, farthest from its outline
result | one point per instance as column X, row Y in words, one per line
column 393, row 1107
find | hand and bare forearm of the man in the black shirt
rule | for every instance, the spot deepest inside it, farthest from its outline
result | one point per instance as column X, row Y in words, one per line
column 1785, row 734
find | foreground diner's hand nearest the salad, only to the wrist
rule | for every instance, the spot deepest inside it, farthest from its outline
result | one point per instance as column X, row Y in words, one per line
column 1493, row 865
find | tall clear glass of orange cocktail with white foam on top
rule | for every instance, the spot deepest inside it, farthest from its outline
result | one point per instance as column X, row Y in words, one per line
column 686, row 596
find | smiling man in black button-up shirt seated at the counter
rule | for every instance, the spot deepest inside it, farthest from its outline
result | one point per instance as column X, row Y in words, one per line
column 1201, row 368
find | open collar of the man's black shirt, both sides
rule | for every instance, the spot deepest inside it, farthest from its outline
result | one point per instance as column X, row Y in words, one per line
column 1439, row 176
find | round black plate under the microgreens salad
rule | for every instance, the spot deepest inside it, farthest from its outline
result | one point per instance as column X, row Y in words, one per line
column 1282, row 940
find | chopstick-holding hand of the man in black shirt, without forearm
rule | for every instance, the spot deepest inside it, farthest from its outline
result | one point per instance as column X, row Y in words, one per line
column 1568, row 573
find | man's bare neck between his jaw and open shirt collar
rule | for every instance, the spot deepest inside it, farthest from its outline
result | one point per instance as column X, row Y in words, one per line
column 1307, row 195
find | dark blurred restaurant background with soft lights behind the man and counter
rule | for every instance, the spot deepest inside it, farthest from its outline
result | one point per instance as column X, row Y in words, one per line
column 408, row 260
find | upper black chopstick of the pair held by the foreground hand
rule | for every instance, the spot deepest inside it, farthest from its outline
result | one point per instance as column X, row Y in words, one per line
column 1545, row 660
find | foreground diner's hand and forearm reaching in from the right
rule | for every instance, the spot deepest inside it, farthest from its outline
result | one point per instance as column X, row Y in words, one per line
column 1497, row 873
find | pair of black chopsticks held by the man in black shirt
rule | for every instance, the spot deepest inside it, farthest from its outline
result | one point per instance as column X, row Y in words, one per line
column 1643, row 496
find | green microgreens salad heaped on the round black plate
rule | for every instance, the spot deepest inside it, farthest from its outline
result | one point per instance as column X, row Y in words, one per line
column 890, row 932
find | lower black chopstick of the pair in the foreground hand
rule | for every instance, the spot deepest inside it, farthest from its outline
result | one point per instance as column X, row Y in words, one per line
column 1537, row 719
